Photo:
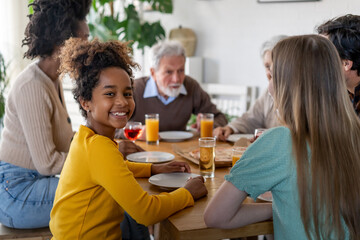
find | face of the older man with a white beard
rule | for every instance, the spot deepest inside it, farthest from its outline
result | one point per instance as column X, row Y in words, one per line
column 170, row 75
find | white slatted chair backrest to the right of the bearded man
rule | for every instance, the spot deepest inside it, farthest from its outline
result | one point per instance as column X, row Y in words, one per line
column 232, row 99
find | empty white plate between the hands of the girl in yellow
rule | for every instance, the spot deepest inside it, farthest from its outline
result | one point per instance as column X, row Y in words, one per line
column 171, row 180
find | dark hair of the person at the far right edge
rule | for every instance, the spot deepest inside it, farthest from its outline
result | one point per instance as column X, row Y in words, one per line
column 344, row 33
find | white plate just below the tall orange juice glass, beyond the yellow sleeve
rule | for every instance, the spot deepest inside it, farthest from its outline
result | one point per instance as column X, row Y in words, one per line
column 150, row 157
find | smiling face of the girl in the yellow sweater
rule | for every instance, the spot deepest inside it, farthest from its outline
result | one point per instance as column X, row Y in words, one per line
column 112, row 102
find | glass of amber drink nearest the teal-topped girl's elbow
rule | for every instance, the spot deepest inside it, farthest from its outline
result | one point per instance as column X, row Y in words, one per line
column 207, row 156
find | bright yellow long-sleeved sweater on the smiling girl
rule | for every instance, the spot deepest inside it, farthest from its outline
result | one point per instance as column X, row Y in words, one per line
column 96, row 186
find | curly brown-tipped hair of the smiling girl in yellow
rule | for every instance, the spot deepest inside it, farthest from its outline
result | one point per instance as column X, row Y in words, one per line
column 83, row 61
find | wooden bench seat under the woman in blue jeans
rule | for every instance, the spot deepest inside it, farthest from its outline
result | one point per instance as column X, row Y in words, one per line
column 25, row 234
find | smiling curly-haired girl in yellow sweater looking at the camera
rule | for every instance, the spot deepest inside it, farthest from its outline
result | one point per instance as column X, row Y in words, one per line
column 96, row 184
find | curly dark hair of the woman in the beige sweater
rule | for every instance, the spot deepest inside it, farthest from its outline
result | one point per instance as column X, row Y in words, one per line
column 52, row 22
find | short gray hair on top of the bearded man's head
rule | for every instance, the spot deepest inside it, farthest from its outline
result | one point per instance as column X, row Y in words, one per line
column 165, row 48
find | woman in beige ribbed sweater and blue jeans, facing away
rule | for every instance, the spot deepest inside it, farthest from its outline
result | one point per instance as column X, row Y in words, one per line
column 37, row 132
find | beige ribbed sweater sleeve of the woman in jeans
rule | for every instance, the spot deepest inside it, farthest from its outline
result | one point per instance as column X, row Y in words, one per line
column 34, row 109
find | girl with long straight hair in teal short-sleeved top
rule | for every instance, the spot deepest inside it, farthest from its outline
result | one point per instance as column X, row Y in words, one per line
column 311, row 164
